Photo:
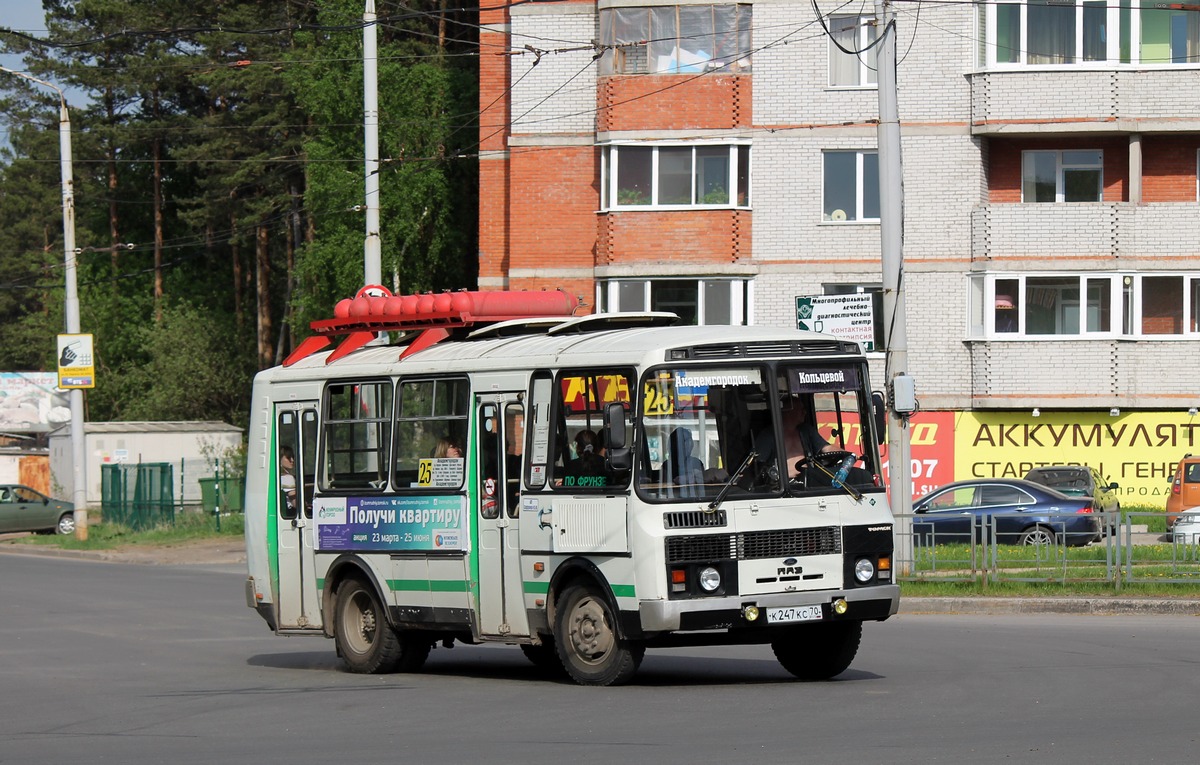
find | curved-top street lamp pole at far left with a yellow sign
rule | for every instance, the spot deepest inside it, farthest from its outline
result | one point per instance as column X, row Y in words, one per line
column 79, row 466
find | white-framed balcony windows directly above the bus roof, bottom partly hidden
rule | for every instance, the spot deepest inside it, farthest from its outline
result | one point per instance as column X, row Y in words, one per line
column 709, row 302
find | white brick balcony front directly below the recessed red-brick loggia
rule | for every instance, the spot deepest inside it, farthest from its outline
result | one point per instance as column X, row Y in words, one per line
column 1105, row 236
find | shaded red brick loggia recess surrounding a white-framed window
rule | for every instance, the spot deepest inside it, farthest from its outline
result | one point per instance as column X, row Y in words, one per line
column 1005, row 164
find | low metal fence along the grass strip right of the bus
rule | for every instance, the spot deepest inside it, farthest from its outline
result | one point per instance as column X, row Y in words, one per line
column 977, row 553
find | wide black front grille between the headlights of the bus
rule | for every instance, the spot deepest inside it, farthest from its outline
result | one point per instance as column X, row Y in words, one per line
column 755, row 545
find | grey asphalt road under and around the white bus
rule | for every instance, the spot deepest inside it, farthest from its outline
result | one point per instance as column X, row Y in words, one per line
column 104, row 662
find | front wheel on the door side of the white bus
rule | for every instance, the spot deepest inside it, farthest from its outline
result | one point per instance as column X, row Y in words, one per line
column 586, row 637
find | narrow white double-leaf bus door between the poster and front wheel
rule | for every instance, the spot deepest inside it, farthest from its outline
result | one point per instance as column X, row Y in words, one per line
column 501, row 454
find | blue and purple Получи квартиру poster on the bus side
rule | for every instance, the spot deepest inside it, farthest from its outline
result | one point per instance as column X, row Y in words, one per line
column 391, row 523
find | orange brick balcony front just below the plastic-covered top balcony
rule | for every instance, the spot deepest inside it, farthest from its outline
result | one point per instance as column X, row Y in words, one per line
column 667, row 103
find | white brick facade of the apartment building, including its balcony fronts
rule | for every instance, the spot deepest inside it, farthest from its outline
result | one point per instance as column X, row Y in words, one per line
column 950, row 227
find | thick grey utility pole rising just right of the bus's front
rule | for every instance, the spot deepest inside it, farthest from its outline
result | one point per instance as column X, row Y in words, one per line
column 902, row 397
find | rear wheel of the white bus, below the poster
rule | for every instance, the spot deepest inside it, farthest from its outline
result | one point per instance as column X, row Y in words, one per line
column 365, row 641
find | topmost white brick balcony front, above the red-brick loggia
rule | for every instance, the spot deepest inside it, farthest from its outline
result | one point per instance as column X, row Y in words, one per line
column 1082, row 100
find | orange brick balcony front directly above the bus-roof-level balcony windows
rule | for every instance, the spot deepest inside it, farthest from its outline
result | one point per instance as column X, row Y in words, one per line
column 701, row 237
